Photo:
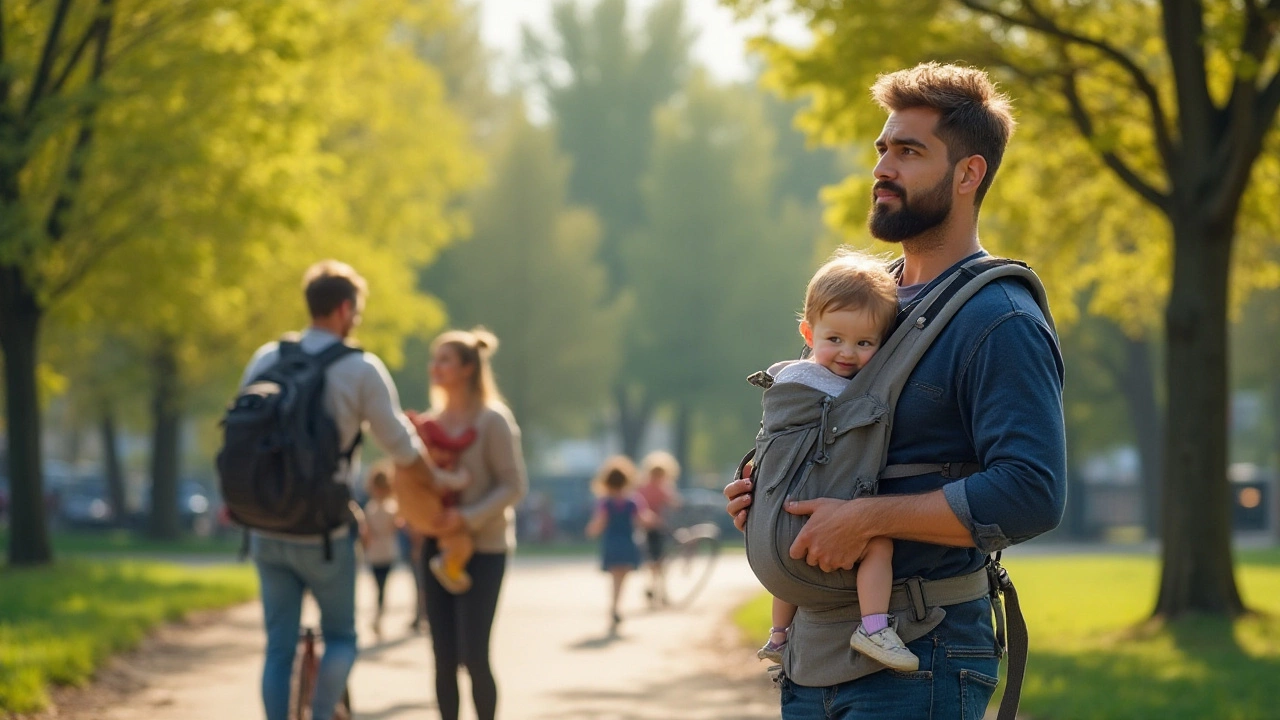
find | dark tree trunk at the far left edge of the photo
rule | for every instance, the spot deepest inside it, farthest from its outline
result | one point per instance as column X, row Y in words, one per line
column 20, row 331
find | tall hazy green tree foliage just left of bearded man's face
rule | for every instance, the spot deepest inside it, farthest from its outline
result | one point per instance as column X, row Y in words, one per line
column 719, row 271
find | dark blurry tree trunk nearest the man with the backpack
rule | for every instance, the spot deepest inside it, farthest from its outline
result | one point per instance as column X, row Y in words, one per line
column 164, row 446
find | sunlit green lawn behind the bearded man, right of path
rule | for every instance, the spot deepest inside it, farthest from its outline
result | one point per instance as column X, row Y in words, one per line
column 1096, row 657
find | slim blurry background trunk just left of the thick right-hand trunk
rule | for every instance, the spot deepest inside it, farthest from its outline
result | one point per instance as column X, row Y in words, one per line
column 1139, row 386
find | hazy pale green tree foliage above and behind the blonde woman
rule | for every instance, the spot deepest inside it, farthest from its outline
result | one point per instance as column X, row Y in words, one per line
column 531, row 274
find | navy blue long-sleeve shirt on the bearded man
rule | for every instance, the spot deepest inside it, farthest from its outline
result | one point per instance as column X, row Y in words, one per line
column 988, row 391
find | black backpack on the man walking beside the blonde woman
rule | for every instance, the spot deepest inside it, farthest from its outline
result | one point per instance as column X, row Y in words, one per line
column 281, row 449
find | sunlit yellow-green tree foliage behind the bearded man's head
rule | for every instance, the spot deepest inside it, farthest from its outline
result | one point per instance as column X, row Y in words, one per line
column 1105, row 239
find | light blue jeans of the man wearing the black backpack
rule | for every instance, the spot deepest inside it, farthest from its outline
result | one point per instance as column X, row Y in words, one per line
column 286, row 569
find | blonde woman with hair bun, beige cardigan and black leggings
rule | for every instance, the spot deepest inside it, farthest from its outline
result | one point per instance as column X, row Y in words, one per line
column 469, row 429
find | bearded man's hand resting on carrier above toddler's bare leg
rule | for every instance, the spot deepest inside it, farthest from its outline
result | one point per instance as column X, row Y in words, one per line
column 834, row 537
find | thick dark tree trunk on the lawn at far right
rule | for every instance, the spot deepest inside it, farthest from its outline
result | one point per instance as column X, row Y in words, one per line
column 1197, row 573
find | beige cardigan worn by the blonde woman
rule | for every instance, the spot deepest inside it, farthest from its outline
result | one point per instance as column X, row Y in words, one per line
column 499, row 481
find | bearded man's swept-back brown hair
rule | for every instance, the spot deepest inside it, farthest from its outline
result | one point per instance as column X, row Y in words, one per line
column 977, row 120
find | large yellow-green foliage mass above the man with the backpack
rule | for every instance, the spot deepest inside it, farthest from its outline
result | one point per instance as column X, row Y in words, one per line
column 314, row 149
